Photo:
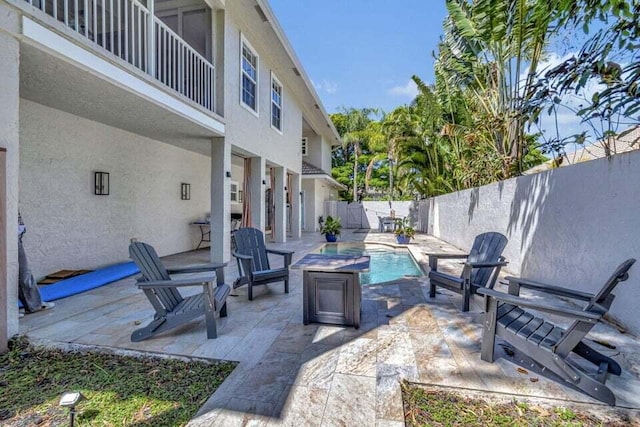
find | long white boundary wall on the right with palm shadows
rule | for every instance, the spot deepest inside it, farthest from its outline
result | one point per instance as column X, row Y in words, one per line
column 569, row 226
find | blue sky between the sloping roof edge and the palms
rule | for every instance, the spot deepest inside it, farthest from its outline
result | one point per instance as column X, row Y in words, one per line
column 362, row 53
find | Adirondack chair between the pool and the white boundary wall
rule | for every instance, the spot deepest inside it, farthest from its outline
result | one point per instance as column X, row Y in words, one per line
column 481, row 269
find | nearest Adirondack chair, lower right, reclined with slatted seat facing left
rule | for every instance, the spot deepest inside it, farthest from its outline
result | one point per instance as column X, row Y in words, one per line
column 550, row 345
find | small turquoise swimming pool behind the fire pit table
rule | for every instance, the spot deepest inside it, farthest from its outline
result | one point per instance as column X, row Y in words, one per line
column 387, row 263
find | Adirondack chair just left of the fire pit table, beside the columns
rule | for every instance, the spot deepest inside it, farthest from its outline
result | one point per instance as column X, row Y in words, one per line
column 253, row 261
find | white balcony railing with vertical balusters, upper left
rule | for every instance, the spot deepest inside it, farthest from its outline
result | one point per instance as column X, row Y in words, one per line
column 127, row 29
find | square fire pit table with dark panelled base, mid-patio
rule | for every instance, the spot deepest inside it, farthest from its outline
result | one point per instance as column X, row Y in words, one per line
column 331, row 290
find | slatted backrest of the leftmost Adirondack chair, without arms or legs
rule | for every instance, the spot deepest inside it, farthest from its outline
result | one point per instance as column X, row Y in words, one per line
column 152, row 269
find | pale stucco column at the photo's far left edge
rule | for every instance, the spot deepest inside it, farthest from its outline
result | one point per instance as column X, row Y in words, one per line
column 9, row 172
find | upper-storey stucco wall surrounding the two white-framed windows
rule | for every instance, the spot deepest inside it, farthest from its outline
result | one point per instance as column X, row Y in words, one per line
column 243, row 128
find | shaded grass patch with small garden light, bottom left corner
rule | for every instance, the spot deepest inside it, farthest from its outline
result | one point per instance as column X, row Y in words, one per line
column 121, row 390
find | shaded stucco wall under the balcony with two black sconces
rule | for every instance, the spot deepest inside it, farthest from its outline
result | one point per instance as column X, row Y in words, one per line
column 71, row 228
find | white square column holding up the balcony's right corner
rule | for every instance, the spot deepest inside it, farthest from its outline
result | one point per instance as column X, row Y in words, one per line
column 220, row 200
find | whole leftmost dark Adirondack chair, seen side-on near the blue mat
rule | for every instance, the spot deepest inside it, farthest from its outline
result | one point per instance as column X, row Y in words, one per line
column 172, row 309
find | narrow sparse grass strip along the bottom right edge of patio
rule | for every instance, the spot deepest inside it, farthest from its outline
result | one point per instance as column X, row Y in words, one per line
column 425, row 406
